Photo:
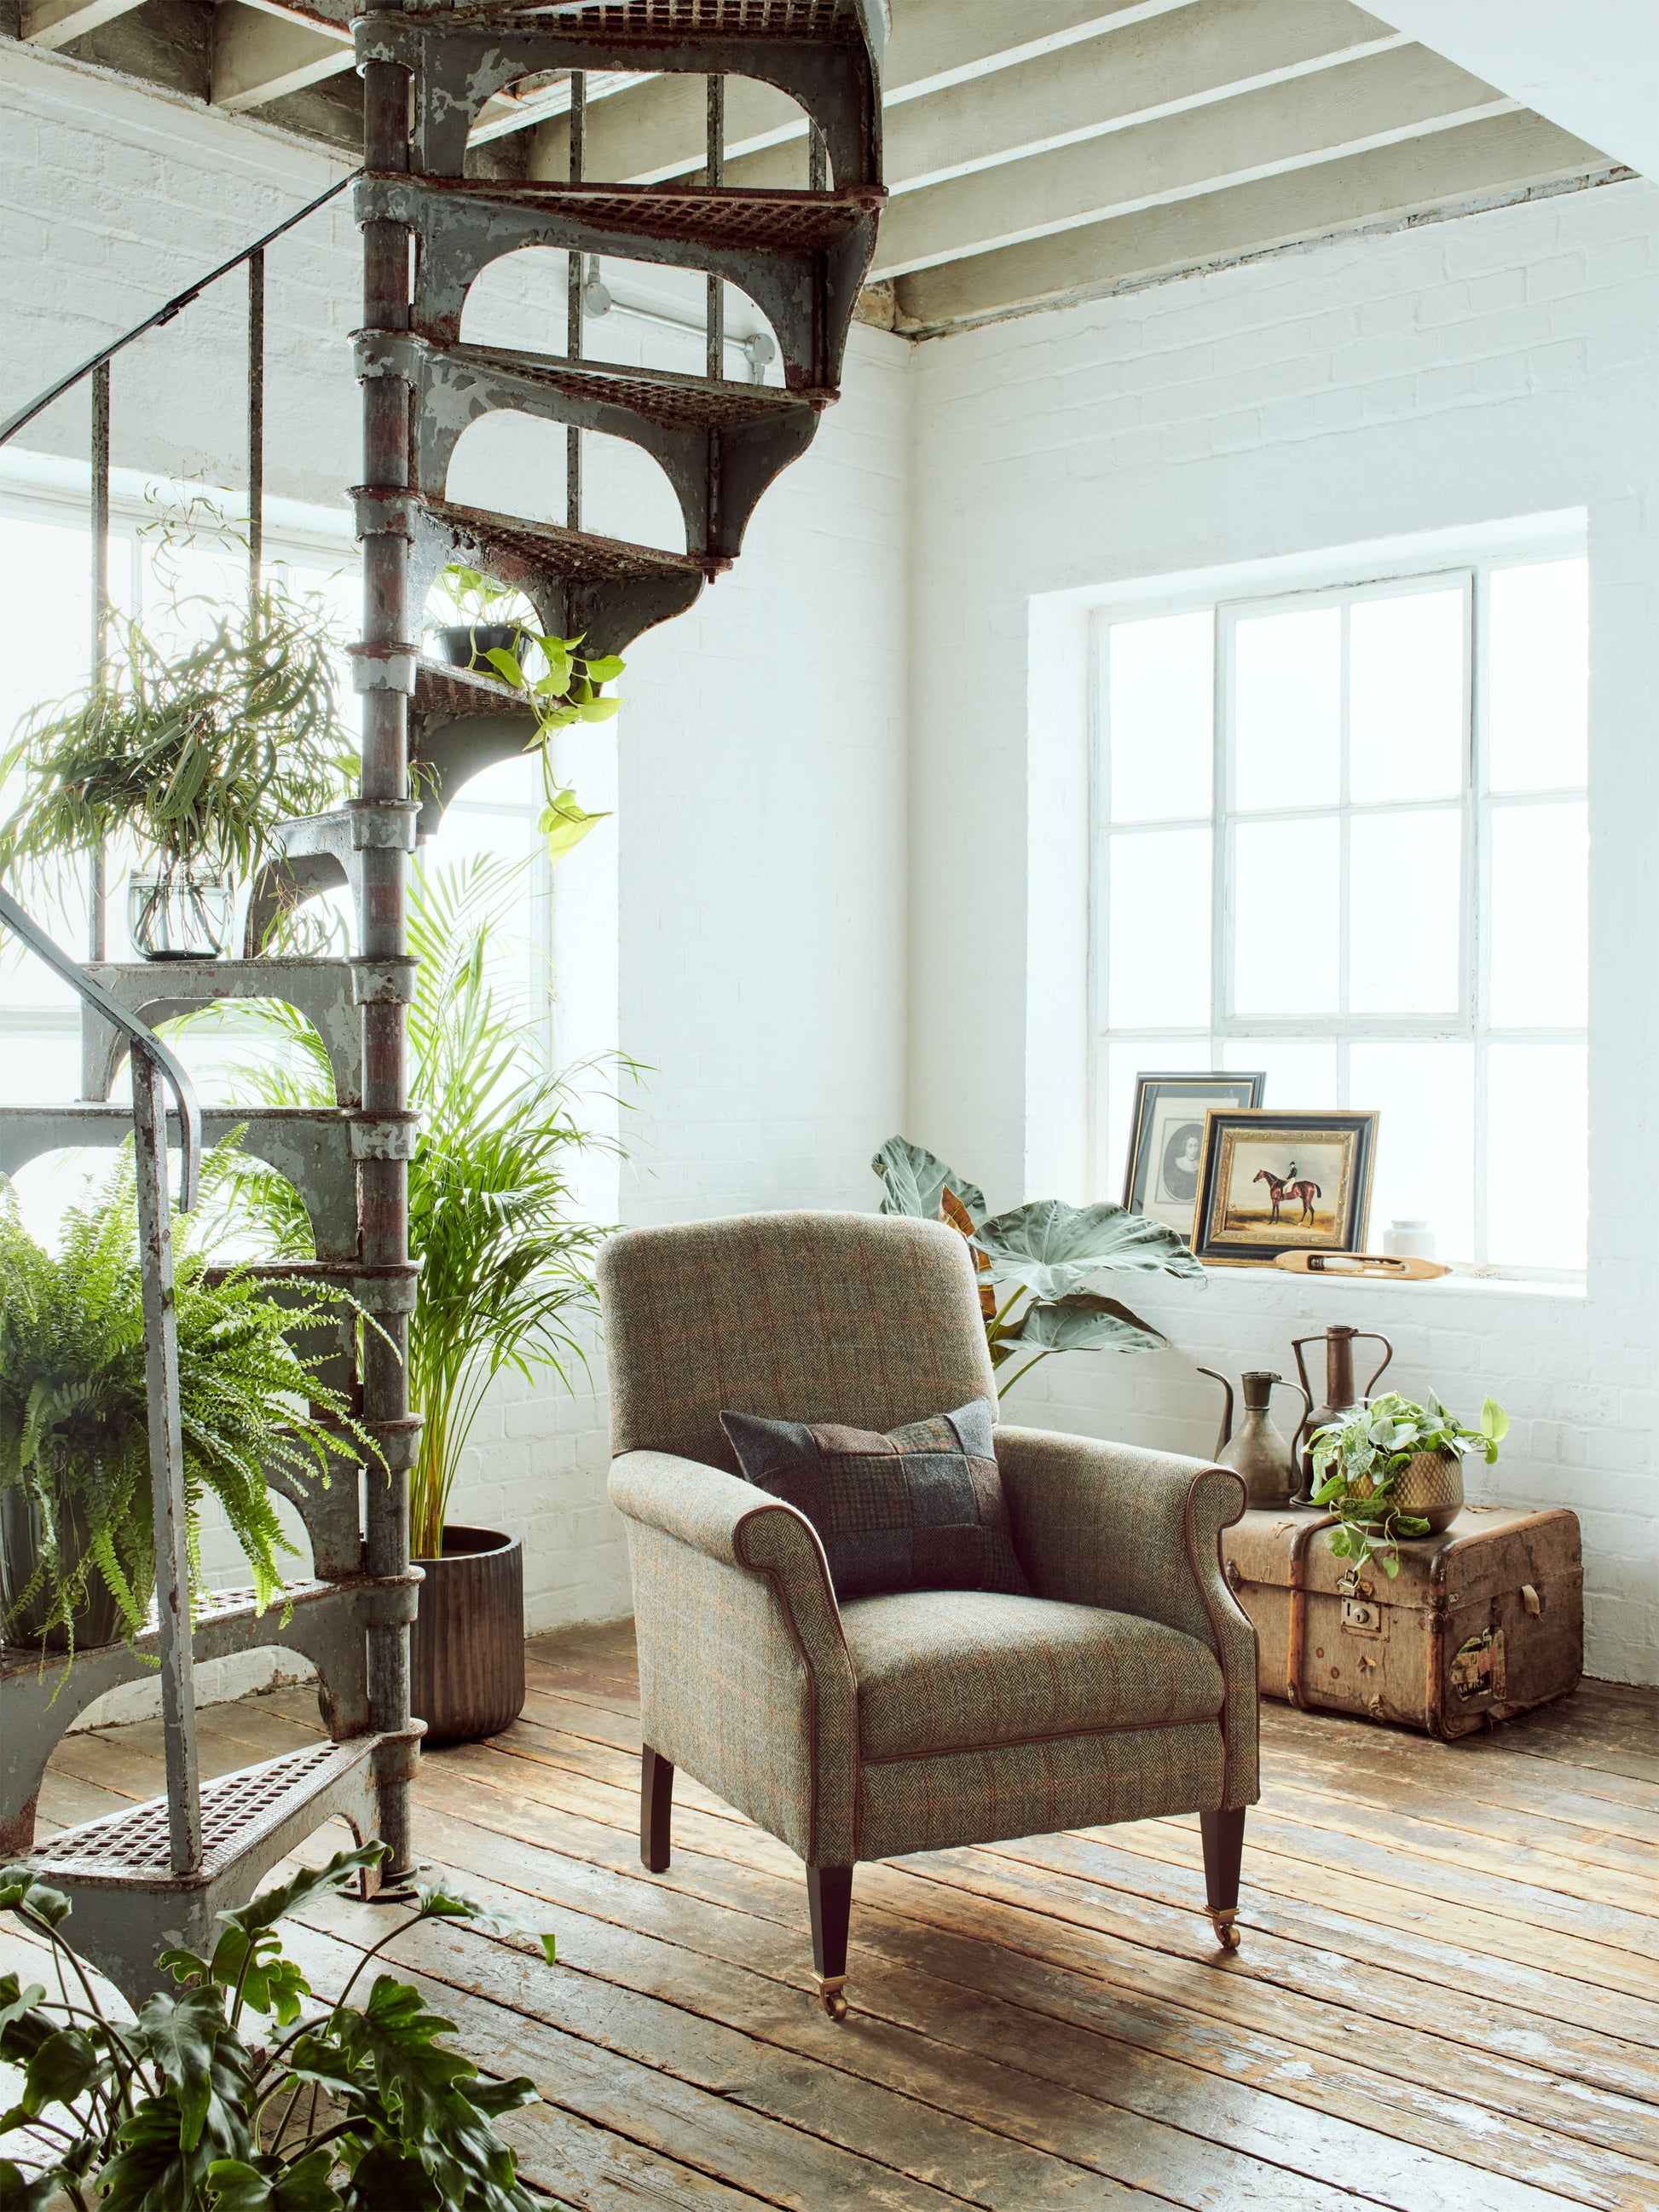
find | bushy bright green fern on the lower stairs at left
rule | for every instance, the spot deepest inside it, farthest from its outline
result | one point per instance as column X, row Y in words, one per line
column 74, row 1408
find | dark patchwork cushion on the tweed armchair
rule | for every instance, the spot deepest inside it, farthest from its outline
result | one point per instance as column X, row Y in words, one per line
column 919, row 1507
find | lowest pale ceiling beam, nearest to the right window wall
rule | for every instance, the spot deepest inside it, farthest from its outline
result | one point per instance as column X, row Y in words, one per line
column 1446, row 171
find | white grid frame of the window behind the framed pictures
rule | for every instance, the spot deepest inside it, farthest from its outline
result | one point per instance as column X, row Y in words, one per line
column 1479, row 806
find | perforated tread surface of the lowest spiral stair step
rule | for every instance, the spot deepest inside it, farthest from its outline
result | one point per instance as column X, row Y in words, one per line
column 238, row 1811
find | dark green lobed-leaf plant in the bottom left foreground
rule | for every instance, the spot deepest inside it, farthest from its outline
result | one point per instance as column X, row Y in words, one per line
column 238, row 2094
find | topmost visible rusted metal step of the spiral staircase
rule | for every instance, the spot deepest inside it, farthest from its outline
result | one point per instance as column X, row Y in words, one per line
column 824, row 54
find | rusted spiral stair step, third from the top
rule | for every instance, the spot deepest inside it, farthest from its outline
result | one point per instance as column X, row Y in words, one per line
column 718, row 444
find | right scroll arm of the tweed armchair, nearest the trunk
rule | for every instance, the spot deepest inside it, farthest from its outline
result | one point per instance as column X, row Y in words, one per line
column 1138, row 1532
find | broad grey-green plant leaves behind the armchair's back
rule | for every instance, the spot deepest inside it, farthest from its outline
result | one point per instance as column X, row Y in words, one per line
column 1036, row 1262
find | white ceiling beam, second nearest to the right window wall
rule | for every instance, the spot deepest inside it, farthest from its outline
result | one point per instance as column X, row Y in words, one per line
column 1266, row 134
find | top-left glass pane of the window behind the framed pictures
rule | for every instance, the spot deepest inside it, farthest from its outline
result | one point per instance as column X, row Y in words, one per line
column 1160, row 707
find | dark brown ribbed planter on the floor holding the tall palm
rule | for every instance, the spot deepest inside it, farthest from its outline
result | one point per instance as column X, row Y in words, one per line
column 468, row 1645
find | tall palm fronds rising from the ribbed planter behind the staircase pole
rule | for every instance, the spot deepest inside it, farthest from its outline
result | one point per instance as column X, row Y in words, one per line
column 505, row 1271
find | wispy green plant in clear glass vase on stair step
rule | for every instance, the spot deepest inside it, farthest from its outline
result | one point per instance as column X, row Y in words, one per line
column 189, row 751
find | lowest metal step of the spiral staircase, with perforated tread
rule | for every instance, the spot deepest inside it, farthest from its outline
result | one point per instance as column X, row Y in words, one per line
column 127, row 1899
